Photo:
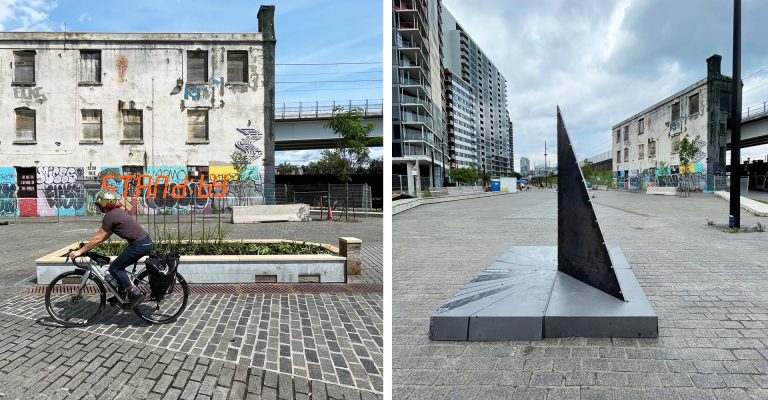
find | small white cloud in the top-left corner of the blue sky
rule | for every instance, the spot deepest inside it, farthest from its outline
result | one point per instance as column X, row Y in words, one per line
column 27, row 15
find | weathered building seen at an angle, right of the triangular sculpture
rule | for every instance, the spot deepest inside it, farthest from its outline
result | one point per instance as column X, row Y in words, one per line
column 646, row 145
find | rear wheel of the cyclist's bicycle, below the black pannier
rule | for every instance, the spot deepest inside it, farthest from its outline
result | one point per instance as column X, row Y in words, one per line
column 168, row 308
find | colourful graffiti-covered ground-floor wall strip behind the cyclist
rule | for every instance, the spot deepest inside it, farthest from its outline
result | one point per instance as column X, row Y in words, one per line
column 70, row 190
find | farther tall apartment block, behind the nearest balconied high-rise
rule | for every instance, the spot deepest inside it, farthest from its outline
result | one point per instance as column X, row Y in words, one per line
column 492, row 128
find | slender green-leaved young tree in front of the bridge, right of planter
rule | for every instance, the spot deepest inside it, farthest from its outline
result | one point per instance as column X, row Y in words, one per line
column 353, row 147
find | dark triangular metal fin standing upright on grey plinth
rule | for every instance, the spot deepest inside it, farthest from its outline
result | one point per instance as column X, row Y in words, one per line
column 581, row 250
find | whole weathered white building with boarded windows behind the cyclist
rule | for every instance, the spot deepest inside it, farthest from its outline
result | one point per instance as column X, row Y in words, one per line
column 79, row 105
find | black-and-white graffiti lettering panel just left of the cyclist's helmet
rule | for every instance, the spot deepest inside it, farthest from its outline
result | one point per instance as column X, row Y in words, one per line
column 63, row 189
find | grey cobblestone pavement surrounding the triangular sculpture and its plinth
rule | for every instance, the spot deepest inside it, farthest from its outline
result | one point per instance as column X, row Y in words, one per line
column 707, row 286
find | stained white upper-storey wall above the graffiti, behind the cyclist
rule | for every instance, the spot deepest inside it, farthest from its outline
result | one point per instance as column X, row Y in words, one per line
column 137, row 71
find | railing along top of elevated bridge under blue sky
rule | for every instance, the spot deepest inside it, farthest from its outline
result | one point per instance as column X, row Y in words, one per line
column 325, row 109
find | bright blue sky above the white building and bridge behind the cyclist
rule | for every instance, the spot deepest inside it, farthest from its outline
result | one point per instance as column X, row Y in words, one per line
column 342, row 38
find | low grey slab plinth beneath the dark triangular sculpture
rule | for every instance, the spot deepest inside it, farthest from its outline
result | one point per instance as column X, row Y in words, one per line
column 522, row 296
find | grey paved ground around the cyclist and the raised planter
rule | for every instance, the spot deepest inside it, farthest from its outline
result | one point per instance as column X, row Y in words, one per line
column 274, row 345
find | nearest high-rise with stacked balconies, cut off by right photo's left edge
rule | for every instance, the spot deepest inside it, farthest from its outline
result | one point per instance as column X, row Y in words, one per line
column 419, row 142
